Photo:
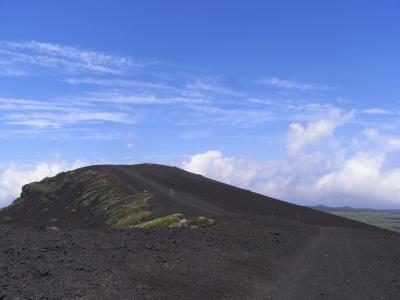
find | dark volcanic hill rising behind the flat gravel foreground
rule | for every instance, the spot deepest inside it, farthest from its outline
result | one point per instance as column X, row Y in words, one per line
column 82, row 198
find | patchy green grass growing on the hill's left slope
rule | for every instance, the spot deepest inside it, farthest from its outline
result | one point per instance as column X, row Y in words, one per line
column 111, row 204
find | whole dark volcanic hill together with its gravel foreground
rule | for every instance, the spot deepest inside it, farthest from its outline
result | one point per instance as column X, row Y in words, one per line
column 156, row 232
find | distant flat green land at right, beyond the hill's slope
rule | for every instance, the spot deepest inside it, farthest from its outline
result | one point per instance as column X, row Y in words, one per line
column 388, row 219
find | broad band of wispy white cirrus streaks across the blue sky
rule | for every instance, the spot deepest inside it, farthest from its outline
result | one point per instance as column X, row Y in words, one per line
column 110, row 83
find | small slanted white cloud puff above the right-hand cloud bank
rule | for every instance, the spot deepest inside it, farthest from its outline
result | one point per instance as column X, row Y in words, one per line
column 300, row 136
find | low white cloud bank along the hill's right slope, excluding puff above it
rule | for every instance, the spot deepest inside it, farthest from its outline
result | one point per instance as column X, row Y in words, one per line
column 361, row 180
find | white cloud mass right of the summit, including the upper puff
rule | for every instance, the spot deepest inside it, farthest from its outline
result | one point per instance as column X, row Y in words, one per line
column 362, row 174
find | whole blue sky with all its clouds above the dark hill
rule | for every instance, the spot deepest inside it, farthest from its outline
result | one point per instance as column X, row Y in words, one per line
column 294, row 99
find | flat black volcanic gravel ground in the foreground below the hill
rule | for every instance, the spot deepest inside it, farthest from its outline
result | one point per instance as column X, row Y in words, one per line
column 239, row 258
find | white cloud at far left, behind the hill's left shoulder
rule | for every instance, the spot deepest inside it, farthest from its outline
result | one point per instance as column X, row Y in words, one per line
column 14, row 177
